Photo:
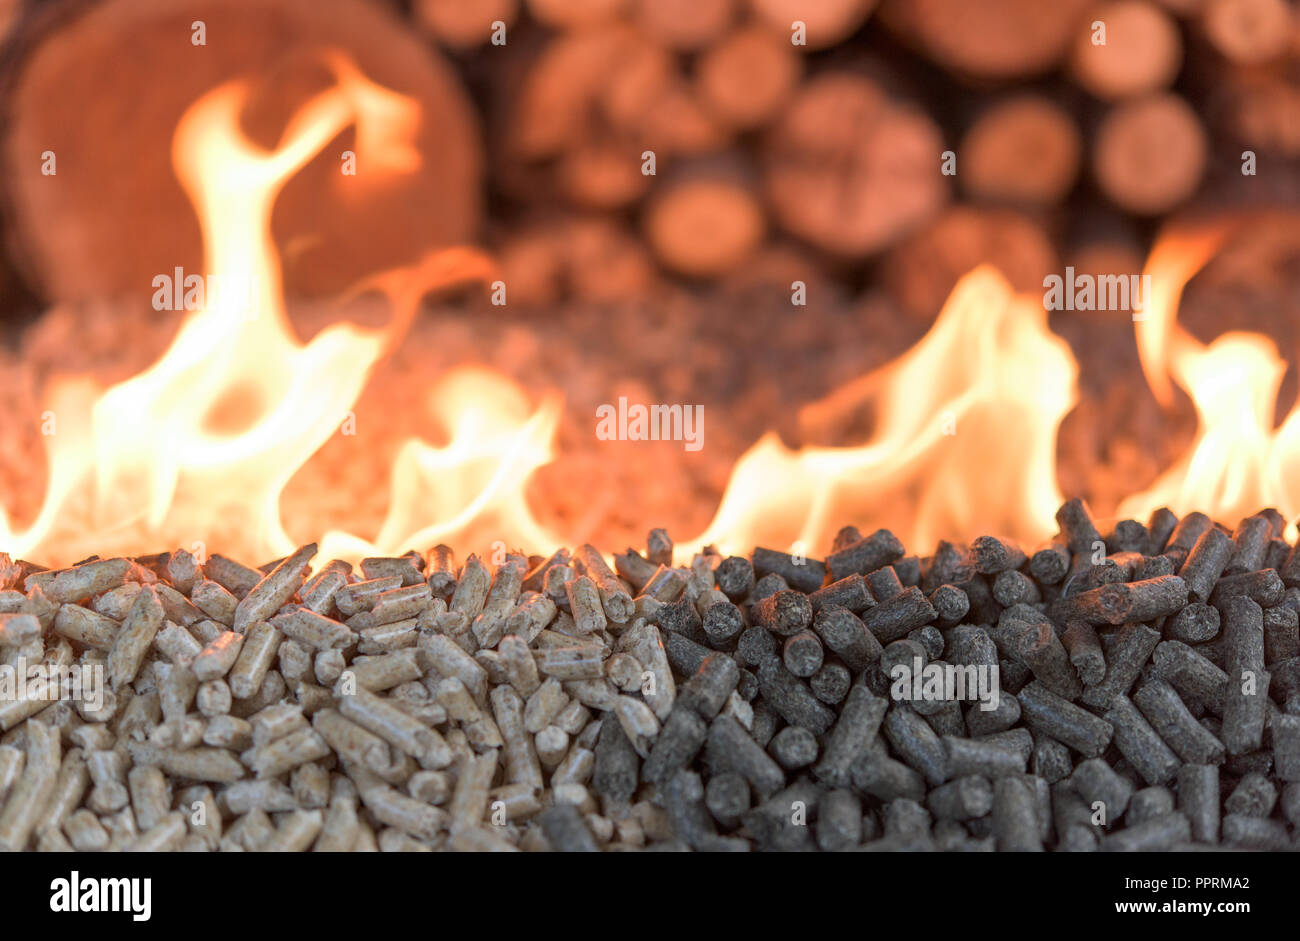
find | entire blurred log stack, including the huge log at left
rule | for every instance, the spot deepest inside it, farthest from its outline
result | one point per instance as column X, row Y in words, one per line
column 704, row 136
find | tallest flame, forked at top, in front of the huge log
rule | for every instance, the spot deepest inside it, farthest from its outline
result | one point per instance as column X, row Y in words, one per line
column 200, row 448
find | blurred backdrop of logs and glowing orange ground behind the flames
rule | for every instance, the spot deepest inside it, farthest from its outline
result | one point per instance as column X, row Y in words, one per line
column 777, row 161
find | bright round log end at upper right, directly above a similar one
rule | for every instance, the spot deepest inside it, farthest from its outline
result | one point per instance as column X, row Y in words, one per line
column 1143, row 51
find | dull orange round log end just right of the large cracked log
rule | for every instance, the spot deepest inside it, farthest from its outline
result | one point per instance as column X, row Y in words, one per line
column 1025, row 150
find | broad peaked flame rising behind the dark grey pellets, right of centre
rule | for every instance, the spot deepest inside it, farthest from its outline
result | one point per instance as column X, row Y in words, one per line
column 965, row 439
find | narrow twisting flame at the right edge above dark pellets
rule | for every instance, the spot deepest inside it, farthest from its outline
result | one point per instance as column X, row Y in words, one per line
column 1240, row 461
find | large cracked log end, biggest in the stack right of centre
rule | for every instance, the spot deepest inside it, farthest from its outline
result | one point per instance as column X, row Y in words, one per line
column 851, row 171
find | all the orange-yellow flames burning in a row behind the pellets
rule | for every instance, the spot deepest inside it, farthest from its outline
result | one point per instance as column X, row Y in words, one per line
column 197, row 450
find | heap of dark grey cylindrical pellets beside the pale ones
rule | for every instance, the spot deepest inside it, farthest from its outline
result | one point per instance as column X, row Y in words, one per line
column 1149, row 695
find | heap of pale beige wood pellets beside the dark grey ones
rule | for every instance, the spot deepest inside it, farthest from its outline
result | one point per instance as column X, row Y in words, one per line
column 411, row 705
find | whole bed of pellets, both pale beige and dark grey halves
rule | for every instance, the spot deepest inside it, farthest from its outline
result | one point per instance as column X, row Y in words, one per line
column 1149, row 699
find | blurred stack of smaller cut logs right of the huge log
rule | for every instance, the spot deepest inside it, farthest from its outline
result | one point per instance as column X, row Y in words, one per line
column 761, row 138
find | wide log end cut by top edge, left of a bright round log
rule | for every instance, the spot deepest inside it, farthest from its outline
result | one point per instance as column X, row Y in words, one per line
column 991, row 38
